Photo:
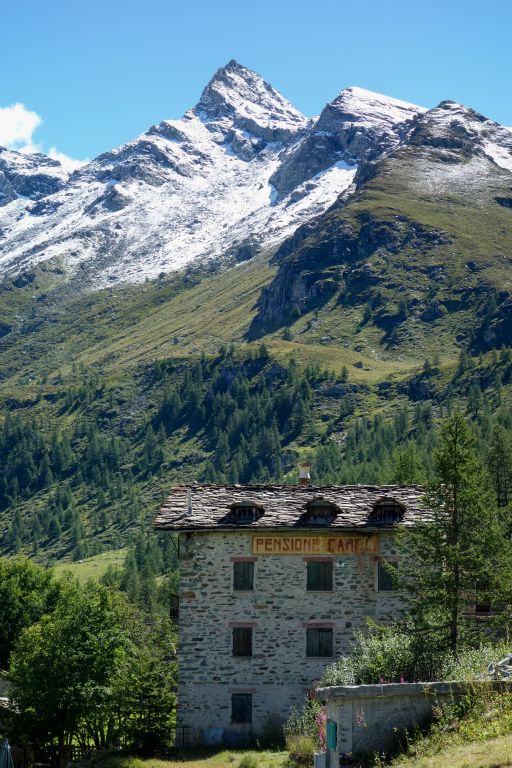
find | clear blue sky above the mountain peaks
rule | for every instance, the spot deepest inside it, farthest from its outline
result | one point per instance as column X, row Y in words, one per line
column 91, row 74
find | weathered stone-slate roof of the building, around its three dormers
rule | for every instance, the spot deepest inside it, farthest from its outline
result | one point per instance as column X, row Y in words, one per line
column 284, row 506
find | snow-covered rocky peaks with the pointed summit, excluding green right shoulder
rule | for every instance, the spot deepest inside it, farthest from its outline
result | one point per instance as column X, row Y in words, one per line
column 236, row 175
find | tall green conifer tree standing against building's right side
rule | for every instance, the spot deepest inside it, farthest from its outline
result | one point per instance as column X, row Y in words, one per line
column 460, row 557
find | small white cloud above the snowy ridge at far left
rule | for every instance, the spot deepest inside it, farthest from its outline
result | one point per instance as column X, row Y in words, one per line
column 17, row 126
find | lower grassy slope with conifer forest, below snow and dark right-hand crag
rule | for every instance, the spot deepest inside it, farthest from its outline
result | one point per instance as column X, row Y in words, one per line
column 126, row 418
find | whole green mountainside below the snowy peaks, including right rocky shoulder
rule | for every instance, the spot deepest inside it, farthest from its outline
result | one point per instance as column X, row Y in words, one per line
column 107, row 398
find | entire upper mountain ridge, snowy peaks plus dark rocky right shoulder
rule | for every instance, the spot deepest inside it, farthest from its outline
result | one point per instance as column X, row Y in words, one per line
column 378, row 207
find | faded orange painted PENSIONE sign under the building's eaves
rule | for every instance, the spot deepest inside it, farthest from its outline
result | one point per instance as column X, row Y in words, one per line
column 315, row 544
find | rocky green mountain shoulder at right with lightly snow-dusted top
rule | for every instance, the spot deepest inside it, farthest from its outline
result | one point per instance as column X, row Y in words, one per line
column 419, row 258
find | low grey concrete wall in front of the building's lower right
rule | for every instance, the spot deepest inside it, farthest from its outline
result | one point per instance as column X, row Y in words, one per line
column 371, row 718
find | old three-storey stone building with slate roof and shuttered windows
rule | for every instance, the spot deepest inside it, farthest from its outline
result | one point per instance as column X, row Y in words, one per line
column 274, row 580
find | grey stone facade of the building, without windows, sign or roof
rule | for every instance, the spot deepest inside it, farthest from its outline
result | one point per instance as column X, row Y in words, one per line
column 279, row 673
